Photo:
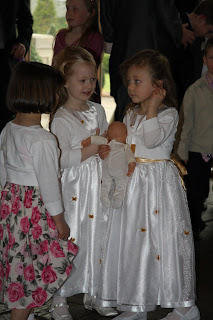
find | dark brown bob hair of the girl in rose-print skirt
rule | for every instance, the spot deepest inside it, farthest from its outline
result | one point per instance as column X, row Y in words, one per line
column 32, row 88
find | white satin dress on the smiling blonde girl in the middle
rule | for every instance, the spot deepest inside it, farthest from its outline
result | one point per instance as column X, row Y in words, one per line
column 81, row 195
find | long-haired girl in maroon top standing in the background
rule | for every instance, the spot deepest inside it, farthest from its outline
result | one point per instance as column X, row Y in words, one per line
column 83, row 31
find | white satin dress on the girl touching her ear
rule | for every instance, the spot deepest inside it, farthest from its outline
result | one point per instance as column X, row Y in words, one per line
column 148, row 253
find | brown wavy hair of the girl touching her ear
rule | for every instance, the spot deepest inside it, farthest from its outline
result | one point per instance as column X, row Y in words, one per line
column 159, row 68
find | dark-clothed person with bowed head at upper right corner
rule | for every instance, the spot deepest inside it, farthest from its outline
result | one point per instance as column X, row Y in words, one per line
column 188, row 61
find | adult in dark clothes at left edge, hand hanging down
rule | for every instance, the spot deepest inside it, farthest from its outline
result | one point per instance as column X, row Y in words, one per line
column 15, row 35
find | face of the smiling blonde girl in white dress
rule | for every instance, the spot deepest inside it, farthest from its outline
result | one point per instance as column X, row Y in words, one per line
column 81, row 83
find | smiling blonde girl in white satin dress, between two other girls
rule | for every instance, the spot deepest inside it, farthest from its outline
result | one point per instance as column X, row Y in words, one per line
column 77, row 119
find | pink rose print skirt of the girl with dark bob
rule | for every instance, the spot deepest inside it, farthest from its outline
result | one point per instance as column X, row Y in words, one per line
column 34, row 263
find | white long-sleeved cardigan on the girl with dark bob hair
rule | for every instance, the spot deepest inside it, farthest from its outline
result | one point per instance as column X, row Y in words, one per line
column 29, row 157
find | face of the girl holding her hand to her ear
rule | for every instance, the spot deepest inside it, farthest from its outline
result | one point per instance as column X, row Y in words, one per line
column 140, row 86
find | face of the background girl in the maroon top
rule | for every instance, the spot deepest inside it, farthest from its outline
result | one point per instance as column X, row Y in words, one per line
column 77, row 13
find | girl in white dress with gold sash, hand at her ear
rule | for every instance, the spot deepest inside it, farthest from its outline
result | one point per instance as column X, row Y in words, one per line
column 148, row 255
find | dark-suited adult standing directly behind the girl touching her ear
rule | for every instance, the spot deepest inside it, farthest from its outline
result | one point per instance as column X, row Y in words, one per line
column 133, row 26
